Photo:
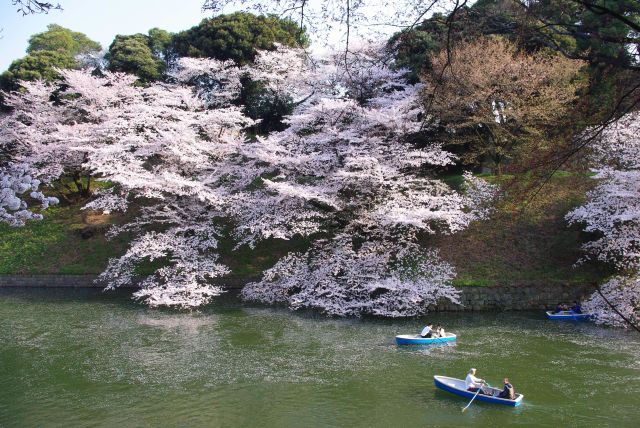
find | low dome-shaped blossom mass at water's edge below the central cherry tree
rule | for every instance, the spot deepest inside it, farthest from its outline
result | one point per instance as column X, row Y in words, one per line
column 342, row 277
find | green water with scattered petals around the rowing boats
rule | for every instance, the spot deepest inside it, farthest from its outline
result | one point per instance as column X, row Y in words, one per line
column 83, row 358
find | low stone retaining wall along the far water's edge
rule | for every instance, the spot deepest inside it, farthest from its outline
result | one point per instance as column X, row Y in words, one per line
column 497, row 298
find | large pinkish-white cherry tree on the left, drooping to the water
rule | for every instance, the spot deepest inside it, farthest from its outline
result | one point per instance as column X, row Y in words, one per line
column 161, row 146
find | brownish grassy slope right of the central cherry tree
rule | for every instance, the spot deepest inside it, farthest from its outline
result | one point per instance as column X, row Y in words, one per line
column 526, row 240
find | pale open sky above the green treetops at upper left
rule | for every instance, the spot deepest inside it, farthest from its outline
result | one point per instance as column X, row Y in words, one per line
column 101, row 20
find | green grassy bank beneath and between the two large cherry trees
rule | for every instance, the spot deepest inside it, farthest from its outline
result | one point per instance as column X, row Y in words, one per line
column 71, row 241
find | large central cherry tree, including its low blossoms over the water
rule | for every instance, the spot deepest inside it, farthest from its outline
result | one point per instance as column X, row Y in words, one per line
column 346, row 171
